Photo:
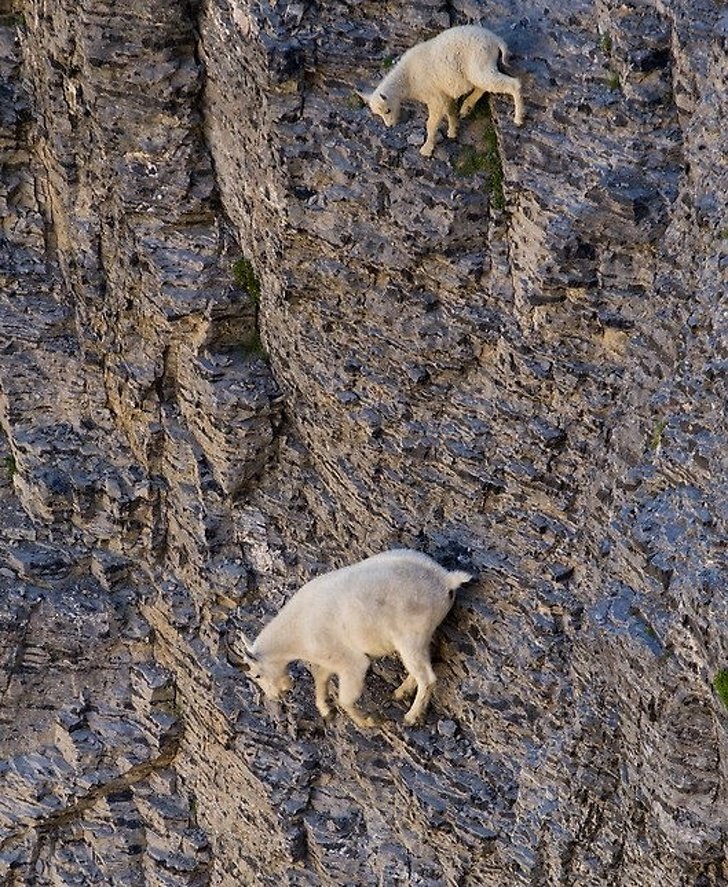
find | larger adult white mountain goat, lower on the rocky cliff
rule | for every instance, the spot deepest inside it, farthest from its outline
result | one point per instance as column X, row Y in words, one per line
column 388, row 603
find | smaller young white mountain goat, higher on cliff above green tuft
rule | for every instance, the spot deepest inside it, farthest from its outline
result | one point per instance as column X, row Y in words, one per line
column 460, row 60
